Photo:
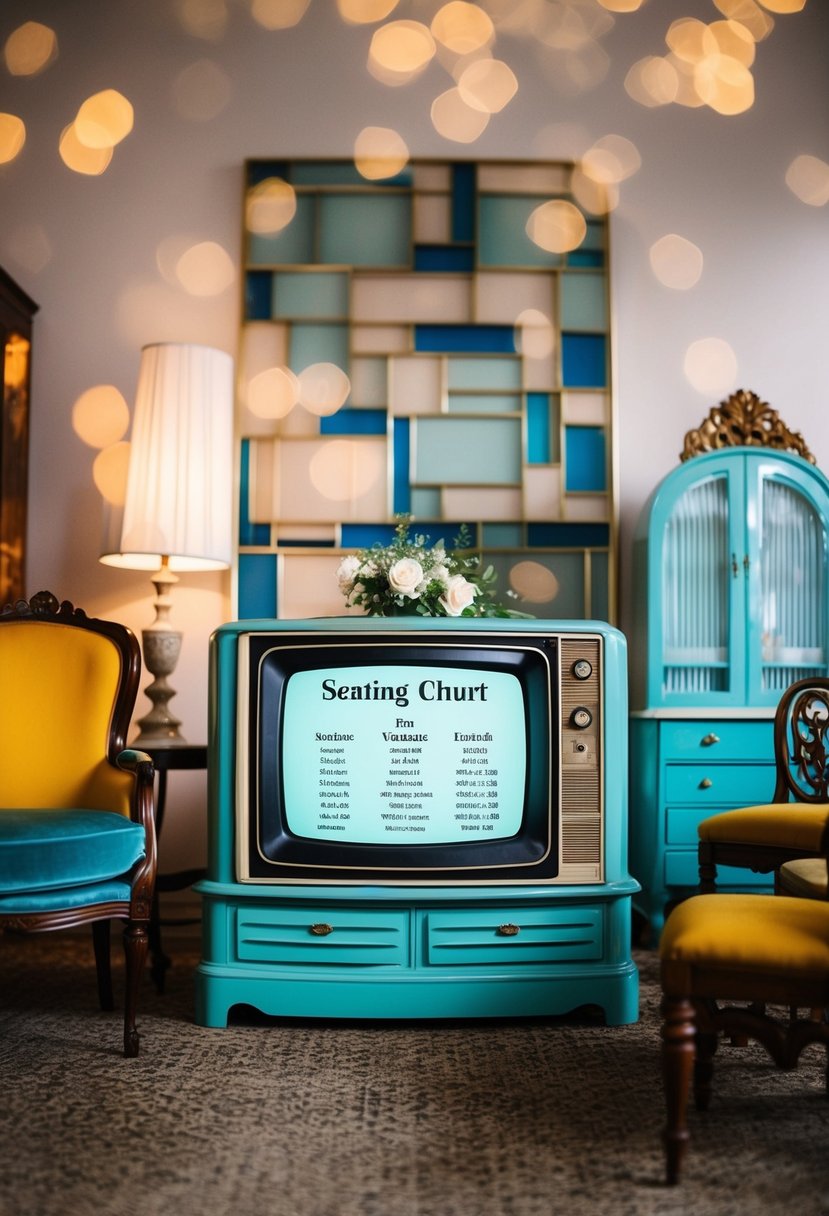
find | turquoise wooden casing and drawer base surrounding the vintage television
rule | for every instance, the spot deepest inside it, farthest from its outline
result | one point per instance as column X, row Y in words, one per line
column 390, row 952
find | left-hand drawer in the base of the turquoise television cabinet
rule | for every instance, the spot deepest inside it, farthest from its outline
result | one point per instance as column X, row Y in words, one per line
column 324, row 936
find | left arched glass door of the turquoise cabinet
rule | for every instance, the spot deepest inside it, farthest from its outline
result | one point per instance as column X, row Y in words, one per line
column 698, row 594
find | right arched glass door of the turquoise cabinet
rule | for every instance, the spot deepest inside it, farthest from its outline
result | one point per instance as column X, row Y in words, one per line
column 789, row 640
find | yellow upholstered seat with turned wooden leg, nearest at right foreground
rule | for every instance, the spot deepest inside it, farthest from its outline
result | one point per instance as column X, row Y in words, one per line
column 755, row 950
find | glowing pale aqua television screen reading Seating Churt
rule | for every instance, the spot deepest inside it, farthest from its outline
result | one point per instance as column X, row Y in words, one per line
column 399, row 755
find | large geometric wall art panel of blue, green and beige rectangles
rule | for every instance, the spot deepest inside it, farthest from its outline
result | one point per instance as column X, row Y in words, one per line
column 413, row 345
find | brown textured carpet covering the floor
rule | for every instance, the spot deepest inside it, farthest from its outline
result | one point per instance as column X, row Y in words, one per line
column 303, row 1119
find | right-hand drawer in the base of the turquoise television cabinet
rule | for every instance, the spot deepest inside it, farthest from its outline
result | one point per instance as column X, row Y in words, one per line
column 514, row 936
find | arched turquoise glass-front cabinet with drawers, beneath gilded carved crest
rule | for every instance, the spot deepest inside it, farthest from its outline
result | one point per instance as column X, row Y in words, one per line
column 732, row 577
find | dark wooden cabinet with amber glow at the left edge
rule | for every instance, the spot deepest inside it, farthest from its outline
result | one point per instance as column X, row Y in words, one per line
column 16, row 314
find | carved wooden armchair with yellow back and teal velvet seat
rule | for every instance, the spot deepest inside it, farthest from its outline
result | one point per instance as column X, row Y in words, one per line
column 77, row 821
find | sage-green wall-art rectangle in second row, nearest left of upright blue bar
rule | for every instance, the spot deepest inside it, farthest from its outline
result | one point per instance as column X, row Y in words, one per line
column 365, row 230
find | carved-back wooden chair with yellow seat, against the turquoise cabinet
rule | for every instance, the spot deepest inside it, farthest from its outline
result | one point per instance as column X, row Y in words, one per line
column 794, row 824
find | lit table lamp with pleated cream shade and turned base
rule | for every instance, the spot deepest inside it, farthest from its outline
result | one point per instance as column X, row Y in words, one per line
column 178, row 509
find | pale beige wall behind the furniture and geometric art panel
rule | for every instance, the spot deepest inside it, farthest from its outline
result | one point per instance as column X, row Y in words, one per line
column 86, row 249
